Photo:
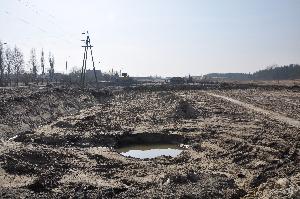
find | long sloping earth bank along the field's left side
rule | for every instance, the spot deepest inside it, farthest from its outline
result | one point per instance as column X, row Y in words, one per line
column 24, row 110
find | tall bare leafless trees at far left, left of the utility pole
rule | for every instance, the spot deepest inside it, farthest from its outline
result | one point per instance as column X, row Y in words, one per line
column 12, row 67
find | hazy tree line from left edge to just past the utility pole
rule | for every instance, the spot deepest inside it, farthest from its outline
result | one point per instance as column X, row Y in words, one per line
column 13, row 73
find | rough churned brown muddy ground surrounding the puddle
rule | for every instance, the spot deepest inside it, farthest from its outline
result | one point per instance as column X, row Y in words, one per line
column 230, row 151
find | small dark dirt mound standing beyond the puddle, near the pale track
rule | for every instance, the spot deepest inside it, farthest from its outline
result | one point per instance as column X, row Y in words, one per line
column 185, row 109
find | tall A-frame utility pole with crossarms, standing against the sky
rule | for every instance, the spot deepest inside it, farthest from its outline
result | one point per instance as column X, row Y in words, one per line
column 87, row 47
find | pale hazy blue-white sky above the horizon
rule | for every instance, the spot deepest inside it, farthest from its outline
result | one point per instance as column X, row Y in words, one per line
column 157, row 37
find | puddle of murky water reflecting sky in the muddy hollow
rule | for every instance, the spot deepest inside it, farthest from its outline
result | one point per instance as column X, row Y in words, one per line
column 150, row 151
